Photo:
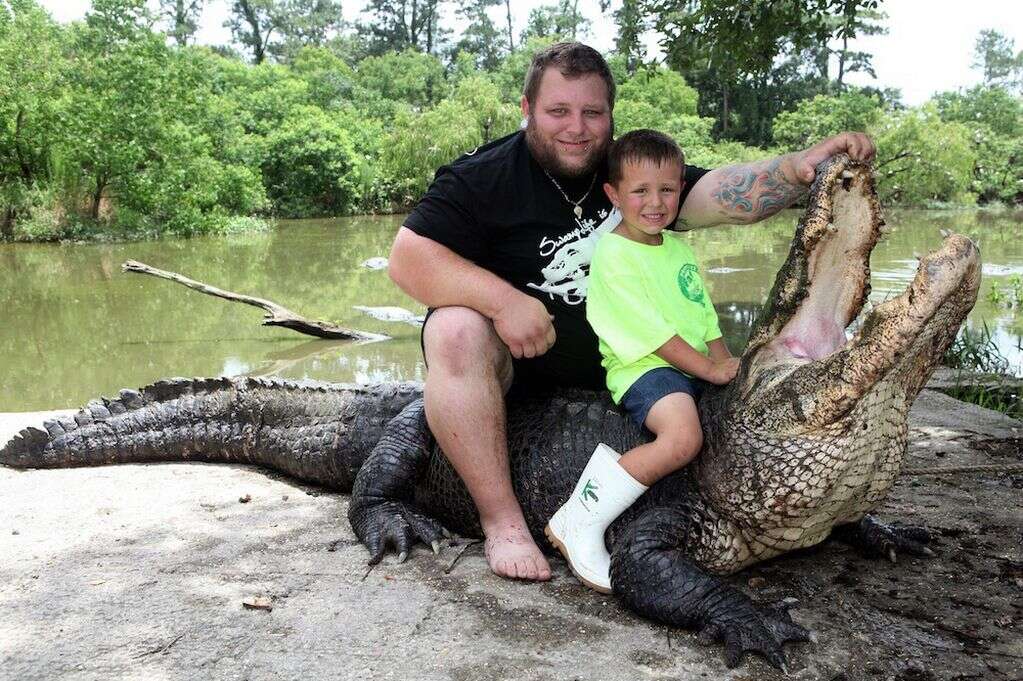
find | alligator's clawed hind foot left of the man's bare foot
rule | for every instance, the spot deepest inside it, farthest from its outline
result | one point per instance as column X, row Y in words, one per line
column 396, row 525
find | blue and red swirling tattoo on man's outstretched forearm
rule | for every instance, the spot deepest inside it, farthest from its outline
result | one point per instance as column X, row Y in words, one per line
column 755, row 192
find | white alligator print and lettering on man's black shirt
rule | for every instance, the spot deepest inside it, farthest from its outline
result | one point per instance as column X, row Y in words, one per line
column 568, row 274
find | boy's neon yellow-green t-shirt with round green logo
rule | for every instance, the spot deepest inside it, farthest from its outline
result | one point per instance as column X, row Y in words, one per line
column 639, row 298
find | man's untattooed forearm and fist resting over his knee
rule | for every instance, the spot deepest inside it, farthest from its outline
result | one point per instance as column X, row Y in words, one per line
column 438, row 278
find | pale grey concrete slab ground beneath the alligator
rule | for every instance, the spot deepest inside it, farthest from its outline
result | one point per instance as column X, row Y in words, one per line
column 143, row 572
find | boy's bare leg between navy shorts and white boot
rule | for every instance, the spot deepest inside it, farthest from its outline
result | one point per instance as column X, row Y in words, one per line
column 676, row 422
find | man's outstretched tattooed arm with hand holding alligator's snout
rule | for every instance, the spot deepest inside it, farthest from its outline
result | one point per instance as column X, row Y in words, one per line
column 750, row 193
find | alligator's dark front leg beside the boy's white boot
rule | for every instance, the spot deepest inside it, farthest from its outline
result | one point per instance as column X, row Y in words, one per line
column 651, row 573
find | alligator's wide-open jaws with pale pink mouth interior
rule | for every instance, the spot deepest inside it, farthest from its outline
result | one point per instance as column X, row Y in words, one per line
column 822, row 288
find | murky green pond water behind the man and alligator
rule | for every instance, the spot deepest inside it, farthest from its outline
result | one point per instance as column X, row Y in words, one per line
column 74, row 327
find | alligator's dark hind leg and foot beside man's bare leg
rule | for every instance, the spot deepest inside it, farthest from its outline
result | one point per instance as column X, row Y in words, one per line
column 382, row 512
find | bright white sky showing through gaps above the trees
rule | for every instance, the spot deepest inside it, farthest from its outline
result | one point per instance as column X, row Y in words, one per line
column 928, row 49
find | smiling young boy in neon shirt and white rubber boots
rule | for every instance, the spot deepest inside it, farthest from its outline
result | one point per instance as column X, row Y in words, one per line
column 659, row 339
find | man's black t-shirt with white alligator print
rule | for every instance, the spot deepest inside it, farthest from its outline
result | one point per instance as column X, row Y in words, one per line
column 497, row 208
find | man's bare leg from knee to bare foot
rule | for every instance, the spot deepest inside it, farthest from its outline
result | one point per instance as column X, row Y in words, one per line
column 470, row 370
